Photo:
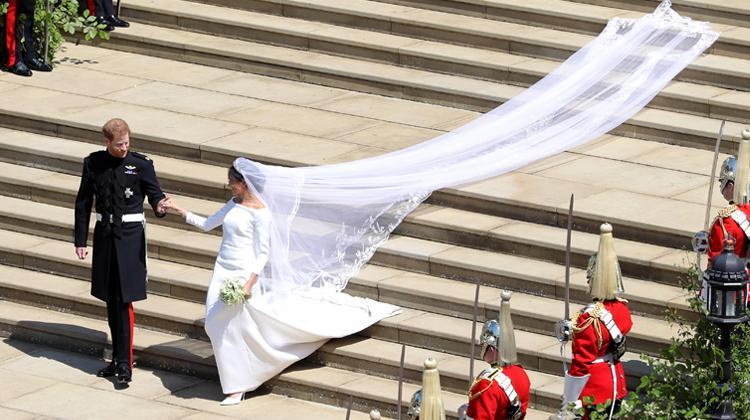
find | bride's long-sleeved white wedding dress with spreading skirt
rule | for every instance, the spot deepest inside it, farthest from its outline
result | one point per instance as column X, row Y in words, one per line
column 255, row 341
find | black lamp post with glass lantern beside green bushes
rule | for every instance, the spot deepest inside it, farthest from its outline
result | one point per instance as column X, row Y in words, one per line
column 726, row 282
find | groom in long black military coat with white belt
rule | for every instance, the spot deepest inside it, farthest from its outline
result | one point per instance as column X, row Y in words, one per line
column 119, row 179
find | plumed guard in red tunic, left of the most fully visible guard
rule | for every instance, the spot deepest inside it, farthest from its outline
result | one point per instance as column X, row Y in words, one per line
column 502, row 390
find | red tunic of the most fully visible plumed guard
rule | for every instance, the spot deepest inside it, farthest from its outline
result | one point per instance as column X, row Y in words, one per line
column 586, row 350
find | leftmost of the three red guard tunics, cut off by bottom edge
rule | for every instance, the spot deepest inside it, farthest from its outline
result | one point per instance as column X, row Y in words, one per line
column 488, row 401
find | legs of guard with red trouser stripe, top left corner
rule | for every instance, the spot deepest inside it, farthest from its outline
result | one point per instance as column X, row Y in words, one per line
column 20, row 50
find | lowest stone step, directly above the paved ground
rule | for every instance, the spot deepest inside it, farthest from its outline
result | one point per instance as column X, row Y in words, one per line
column 194, row 357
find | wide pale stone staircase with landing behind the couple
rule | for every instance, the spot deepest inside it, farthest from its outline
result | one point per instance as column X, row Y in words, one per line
column 353, row 79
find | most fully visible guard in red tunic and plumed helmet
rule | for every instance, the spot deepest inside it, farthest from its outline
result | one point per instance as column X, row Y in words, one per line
column 596, row 375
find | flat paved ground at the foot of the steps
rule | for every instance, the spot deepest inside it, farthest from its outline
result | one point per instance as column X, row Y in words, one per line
column 39, row 382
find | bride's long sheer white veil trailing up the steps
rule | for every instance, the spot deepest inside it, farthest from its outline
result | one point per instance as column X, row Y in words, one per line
column 329, row 220
